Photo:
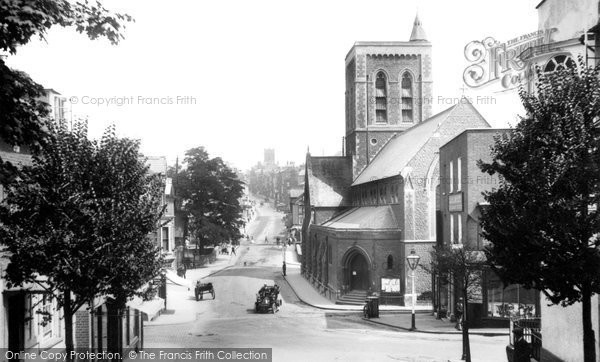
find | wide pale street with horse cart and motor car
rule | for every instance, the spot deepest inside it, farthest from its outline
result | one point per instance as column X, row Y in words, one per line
column 298, row 332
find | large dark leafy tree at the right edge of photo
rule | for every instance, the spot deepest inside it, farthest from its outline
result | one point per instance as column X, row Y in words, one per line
column 542, row 221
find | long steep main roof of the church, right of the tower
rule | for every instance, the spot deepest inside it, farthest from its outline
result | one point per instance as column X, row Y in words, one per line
column 401, row 149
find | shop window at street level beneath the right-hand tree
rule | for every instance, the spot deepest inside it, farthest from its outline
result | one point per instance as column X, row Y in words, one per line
column 510, row 301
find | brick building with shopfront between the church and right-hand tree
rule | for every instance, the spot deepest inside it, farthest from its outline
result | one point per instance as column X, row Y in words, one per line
column 461, row 200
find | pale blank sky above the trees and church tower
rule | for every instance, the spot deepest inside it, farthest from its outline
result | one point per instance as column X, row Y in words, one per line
column 239, row 76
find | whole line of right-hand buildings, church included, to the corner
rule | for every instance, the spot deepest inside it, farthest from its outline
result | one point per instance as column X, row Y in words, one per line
column 409, row 180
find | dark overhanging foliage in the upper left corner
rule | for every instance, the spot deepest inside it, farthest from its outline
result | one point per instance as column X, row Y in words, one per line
column 22, row 113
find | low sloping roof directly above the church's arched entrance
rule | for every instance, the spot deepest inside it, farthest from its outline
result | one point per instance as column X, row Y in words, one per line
column 366, row 217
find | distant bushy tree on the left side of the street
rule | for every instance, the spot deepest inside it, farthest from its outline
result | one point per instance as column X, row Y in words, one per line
column 210, row 193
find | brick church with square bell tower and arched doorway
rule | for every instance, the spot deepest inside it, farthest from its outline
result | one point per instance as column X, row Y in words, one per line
column 366, row 210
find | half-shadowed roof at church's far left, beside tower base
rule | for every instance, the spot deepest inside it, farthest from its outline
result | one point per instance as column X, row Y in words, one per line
column 329, row 179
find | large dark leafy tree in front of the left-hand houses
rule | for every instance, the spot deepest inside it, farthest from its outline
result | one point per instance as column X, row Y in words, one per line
column 77, row 223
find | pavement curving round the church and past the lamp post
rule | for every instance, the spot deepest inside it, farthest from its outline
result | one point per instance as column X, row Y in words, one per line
column 397, row 317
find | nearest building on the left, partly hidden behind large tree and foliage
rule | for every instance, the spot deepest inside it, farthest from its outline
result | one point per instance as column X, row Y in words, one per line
column 21, row 324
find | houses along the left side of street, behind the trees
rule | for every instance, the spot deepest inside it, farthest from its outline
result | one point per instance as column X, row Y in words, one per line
column 95, row 326
